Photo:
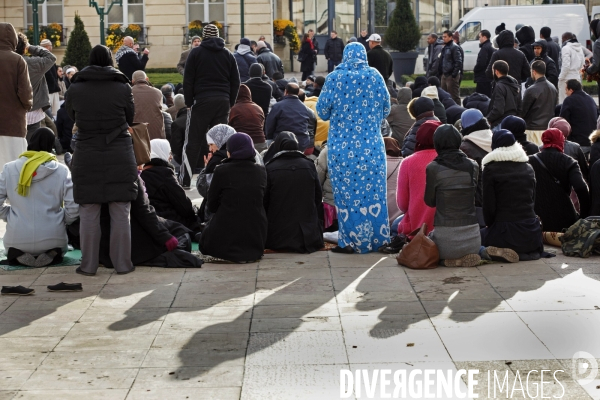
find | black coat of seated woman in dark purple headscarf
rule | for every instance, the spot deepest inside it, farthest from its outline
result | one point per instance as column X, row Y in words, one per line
column 238, row 230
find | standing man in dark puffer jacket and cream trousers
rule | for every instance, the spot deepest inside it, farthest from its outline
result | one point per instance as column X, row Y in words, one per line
column 539, row 102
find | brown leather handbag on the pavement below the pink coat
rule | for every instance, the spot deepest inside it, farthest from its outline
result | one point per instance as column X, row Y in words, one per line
column 420, row 253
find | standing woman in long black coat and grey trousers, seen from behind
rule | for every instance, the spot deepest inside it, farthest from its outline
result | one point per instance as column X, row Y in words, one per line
column 104, row 167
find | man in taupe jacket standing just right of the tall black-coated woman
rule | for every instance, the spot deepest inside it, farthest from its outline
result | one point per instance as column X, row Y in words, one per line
column 148, row 105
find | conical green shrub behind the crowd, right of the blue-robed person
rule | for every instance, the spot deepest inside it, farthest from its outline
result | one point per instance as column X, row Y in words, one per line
column 403, row 33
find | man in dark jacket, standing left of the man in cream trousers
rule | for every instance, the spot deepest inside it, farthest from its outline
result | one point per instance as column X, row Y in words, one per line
column 506, row 97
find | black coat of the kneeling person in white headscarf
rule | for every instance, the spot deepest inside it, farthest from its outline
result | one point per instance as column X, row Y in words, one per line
column 166, row 194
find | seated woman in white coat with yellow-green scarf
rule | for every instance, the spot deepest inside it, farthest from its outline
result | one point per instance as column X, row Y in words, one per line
column 39, row 191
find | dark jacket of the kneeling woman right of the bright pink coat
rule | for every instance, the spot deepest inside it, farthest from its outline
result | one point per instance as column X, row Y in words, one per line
column 452, row 193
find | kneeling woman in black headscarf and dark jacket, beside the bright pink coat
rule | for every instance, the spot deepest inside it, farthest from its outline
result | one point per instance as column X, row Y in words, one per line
column 451, row 182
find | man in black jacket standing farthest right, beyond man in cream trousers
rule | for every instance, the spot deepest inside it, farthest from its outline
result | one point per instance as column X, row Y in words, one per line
column 581, row 112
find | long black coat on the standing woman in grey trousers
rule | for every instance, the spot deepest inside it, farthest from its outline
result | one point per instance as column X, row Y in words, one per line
column 104, row 167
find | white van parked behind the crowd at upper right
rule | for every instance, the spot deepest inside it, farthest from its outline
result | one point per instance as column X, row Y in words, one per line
column 560, row 18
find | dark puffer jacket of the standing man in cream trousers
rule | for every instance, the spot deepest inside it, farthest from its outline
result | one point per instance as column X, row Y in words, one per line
column 538, row 104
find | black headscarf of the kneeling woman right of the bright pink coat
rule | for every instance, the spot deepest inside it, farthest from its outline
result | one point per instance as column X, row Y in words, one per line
column 447, row 140
